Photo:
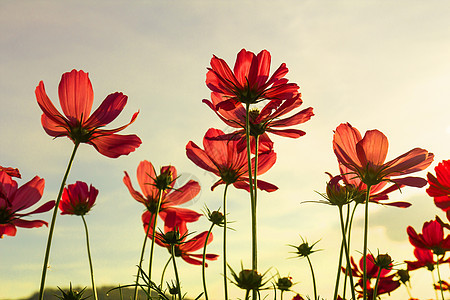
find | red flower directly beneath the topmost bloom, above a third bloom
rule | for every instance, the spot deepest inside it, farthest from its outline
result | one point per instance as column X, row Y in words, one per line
column 265, row 121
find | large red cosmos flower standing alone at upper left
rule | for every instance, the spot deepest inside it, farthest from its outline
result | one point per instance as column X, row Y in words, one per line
column 76, row 97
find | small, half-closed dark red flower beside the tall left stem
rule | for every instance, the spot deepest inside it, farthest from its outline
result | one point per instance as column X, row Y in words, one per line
column 77, row 199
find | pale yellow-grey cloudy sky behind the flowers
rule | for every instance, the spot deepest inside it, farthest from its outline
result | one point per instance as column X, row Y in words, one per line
column 375, row 64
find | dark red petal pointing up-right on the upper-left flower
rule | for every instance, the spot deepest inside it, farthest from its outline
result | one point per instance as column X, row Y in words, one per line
column 108, row 111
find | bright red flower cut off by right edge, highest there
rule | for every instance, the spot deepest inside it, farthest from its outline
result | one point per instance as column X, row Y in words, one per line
column 439, row 187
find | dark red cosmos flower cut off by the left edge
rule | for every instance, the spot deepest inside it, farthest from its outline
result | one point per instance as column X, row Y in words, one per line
column 14, row 199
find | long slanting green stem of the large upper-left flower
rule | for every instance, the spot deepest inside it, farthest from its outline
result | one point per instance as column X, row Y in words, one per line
column 52, row 224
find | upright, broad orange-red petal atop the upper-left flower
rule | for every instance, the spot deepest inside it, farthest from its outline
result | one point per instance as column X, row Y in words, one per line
column 76, row 95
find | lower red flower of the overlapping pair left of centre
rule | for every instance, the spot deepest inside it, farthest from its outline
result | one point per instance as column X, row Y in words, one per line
column 184, row 248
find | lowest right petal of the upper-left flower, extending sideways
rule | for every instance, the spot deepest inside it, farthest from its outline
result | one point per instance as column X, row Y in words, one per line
column 115, row 145
